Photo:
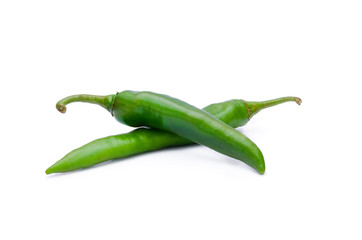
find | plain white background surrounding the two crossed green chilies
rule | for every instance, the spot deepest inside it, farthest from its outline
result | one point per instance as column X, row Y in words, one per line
column 201, row 52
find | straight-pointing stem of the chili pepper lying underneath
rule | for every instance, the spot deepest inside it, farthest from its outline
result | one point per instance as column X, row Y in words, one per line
column 255, row 107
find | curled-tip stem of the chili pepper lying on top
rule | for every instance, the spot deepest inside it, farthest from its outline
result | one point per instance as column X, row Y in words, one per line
column 103, row 101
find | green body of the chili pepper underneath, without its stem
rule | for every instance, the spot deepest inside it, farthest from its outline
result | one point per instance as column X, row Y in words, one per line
column 233, row 112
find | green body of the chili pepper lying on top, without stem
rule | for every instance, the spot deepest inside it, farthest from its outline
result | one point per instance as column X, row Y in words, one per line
column 163, row 112
